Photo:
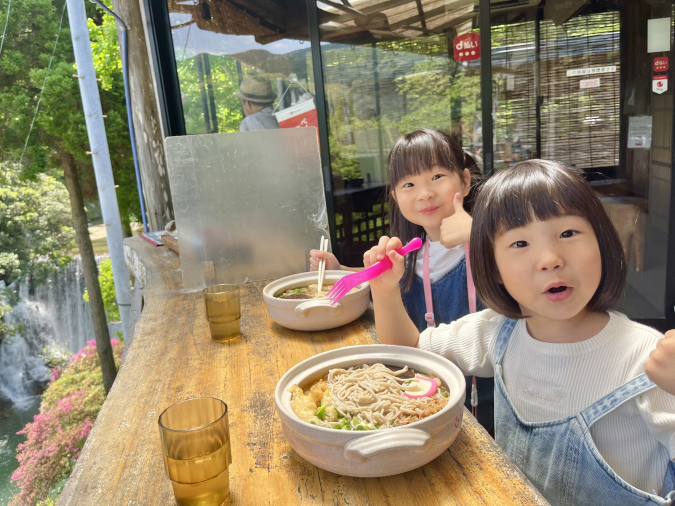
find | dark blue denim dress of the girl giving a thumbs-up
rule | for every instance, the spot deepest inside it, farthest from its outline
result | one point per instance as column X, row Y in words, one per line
column 451, row 302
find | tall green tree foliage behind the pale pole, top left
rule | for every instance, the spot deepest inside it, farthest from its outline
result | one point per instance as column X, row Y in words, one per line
column 60, row 129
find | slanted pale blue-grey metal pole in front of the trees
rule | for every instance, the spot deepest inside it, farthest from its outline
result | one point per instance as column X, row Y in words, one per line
column 98, row 145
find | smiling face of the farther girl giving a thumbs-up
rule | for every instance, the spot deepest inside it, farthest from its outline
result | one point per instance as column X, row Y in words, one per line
column 427, row 199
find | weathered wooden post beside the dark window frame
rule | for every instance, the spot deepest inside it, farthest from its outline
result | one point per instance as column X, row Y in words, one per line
column 146, row 118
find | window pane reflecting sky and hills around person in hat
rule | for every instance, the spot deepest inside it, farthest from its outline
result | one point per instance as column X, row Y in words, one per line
column 217, row 44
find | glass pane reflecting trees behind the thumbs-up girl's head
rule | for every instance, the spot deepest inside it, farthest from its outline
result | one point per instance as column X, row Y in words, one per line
column 389, row 69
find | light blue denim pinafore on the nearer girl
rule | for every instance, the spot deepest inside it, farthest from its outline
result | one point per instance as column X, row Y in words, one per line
column 559, row 457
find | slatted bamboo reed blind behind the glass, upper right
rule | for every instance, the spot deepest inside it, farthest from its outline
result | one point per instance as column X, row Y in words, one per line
column 578, row 126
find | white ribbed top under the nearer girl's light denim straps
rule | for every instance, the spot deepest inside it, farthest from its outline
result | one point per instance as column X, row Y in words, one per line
column 549, row 381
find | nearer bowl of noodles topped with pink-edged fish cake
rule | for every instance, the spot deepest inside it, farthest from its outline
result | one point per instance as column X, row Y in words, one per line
column 361, row 410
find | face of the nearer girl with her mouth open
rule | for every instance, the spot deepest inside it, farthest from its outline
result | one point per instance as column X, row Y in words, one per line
column 551, row 268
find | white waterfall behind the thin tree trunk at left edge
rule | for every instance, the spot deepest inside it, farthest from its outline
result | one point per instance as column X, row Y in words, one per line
column 53, row 316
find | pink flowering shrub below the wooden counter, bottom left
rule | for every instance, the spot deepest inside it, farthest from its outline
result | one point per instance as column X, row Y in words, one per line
column 57, row 434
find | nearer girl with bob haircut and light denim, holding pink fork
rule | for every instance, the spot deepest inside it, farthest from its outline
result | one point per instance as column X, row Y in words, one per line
column 573, row 407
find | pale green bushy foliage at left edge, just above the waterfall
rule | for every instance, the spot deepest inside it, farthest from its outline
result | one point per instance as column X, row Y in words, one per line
column 35, row 231
